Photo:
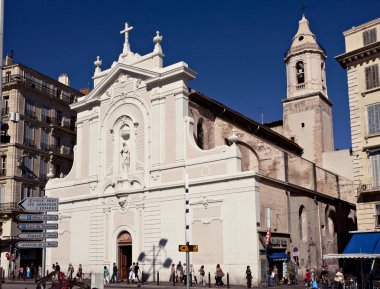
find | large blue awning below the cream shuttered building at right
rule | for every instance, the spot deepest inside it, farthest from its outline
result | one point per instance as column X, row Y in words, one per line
column 364, row 243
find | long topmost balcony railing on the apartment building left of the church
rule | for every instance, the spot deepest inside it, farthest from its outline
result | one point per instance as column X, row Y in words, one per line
column 45, row 88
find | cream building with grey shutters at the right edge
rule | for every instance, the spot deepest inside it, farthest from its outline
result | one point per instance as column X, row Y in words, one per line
column 362, row 61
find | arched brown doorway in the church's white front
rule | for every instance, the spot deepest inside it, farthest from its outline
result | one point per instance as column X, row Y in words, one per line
column 124, row 247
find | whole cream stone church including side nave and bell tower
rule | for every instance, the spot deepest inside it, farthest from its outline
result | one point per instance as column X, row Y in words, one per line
column 141, row 130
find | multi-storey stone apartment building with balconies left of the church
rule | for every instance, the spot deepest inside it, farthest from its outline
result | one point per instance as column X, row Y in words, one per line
column 38, row 136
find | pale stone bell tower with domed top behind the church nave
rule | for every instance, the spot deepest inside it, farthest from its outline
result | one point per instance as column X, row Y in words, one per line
column 307, row 109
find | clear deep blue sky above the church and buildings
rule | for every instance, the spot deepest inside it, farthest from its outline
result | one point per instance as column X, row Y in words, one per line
column 236, row 46
